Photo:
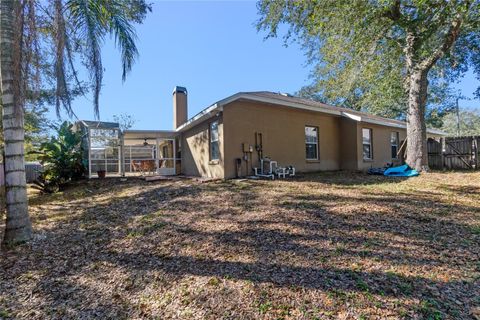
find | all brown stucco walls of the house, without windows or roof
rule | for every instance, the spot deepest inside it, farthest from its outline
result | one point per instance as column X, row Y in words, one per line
column 283, row 130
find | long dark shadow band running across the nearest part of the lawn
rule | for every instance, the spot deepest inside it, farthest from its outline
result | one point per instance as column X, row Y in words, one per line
column 288, row 276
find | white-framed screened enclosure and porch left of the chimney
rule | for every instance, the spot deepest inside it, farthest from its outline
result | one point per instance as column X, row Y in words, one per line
column 114, row 152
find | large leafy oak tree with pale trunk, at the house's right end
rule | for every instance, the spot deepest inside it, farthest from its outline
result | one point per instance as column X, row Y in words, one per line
column 393, row 49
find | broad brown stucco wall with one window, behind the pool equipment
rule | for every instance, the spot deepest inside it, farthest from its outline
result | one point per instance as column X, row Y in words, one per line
column 283, row 132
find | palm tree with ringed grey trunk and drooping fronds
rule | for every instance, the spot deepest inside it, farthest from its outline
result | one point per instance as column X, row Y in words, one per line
column 74, row 27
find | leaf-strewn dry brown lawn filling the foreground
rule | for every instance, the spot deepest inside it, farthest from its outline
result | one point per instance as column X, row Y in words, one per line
column 323, row 246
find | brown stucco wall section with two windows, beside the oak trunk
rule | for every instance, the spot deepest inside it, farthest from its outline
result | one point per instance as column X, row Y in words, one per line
column 380, row 145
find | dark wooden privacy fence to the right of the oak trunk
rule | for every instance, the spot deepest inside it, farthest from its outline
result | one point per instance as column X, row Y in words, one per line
column 454, row 153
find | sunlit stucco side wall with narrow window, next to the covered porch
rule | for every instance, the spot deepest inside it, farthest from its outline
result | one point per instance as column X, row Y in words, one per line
column 195, row 151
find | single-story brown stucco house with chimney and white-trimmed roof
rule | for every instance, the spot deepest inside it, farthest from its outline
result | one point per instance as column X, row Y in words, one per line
column 228, row 138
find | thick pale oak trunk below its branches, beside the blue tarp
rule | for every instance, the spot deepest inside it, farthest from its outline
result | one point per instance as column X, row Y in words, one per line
column 417, row 156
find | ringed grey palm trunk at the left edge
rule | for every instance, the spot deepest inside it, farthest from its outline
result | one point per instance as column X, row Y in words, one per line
column 18, row 226
